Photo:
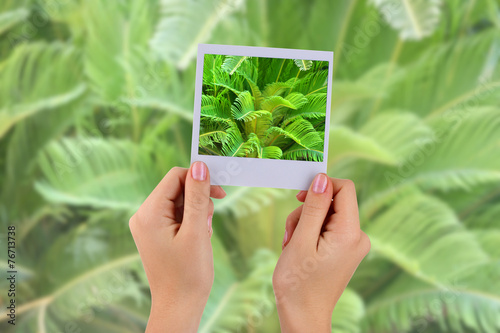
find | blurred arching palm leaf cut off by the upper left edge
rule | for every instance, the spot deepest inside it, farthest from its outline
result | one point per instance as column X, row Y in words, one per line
column 28, row 86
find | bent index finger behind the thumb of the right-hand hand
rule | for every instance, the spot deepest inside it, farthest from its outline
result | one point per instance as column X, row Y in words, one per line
column 345, row 217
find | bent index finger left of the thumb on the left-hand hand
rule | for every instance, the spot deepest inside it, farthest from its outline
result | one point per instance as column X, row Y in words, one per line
column 159, row 208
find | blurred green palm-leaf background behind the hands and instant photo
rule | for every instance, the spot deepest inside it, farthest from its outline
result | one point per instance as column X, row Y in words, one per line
column 96, row 104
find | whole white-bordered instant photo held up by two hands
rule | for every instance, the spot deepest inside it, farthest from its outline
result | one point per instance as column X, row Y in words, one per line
column 262, row 115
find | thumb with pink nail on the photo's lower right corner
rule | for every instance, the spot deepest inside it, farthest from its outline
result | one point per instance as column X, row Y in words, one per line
column 315, row 210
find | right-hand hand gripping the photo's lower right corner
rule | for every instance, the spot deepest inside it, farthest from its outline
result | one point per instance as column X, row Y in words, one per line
column 322, row 248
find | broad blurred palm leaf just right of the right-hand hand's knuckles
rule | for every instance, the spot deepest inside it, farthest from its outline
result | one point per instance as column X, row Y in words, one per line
column 392, row 228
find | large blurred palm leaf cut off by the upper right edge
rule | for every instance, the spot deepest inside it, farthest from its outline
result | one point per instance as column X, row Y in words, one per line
column 455, row 76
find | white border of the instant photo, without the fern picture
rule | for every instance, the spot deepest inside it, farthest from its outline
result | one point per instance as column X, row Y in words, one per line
column 251, row 171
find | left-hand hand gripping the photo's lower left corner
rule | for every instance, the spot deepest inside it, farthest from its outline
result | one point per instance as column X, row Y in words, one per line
column 172, row 231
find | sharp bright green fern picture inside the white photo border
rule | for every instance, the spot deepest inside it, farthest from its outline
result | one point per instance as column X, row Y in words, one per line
column 263, row 107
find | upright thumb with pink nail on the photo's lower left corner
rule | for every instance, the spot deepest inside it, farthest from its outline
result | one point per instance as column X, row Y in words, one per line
column 196, row 199
